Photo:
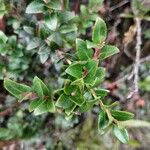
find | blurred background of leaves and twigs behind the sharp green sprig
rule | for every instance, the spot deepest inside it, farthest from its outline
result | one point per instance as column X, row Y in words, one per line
column 25, row 52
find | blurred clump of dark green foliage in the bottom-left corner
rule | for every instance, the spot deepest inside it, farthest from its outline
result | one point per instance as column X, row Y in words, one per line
column 18, row 128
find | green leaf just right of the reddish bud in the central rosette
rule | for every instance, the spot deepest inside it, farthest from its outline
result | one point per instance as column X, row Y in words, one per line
column 91, row 68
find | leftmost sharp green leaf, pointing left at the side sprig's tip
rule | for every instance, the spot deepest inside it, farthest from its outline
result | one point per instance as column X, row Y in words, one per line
column 15, row 88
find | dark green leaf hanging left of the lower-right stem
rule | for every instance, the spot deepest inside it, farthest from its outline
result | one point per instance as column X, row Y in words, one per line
column 103, row 120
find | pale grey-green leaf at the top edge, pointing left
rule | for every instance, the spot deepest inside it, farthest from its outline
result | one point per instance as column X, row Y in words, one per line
column 35, row 7
